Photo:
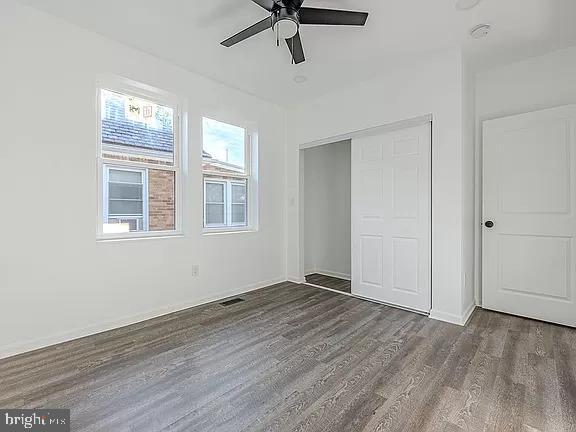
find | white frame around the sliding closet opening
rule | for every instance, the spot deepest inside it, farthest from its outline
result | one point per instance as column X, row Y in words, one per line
column 390, row 127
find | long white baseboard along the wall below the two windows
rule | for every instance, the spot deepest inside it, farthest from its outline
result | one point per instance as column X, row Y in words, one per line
column 34, row 344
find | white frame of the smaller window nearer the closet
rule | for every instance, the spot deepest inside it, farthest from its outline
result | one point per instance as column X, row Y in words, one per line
column 249, row 177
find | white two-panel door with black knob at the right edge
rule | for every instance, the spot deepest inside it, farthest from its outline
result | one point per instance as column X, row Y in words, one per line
column 529, row 261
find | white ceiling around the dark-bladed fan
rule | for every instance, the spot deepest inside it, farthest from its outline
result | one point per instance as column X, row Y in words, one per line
column 188, row 33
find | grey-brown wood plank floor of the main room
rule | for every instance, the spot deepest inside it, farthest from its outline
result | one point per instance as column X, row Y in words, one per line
column 297, row 358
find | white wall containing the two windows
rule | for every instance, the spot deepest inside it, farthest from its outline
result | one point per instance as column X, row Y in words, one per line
column 56, row 281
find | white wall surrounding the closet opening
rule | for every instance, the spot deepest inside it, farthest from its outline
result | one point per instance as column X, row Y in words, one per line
column 427, row 86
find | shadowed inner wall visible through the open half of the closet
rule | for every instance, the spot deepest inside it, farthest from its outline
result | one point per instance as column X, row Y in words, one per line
column 327, row 213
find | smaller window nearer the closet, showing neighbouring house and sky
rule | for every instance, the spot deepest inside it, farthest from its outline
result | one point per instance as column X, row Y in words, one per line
column 227, row 175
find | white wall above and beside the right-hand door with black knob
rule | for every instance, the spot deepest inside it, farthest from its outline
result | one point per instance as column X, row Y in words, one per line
column 530, row 85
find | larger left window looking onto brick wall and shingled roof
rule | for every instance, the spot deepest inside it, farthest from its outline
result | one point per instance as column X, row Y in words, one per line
column 138, row 159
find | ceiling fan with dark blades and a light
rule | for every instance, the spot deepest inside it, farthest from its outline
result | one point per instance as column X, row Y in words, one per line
column 285, row 19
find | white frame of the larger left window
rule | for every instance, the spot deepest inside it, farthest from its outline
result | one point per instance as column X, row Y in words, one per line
column 132, row 88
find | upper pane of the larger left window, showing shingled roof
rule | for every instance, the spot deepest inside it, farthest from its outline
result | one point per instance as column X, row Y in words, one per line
column 136, row 129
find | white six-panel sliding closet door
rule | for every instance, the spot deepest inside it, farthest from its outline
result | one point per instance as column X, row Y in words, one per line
column 391, row 217
